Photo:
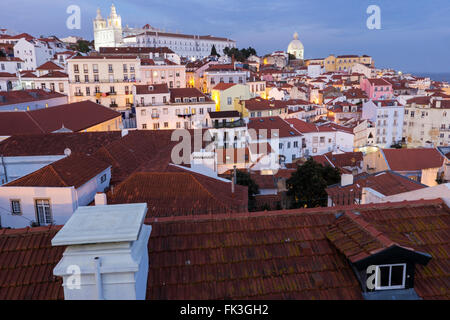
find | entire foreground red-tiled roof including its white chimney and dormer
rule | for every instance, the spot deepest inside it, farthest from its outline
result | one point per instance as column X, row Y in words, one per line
column 303, row 254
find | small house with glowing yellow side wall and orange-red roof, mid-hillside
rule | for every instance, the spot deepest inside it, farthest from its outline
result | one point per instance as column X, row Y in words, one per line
column 225, row 95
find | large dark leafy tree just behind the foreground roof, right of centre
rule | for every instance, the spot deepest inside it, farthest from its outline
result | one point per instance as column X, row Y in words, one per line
column 307, row 185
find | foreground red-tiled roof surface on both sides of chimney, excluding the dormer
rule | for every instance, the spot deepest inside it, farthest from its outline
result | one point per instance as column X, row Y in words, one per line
column 258, row 255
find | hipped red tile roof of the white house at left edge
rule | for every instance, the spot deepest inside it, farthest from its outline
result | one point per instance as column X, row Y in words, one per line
column 74, row 170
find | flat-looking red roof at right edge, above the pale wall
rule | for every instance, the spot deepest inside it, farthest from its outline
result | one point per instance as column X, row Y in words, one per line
column 413, row 159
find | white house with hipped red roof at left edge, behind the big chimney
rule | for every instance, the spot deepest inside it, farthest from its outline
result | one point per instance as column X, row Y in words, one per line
column 51, row 194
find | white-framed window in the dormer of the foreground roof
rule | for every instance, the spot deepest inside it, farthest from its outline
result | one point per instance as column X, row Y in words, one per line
column 390, row 276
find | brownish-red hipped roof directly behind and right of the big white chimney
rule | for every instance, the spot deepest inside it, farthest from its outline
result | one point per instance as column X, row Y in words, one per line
column 179, row 194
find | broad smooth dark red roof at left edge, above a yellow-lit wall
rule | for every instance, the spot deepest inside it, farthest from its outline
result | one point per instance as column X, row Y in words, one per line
column 71, row 116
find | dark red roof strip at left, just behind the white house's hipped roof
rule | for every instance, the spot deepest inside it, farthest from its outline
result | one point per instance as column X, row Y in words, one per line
column 56, row 143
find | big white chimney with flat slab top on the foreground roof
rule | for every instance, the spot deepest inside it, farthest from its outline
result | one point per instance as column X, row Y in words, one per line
column 106, row 255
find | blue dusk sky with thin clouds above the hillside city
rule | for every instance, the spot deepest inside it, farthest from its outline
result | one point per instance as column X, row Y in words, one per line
column 414, row 35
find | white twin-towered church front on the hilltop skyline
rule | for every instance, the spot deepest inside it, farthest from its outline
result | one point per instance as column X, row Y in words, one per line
column 108, row 33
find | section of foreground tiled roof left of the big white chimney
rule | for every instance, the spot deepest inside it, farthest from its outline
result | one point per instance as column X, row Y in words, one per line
column 27, row 259
